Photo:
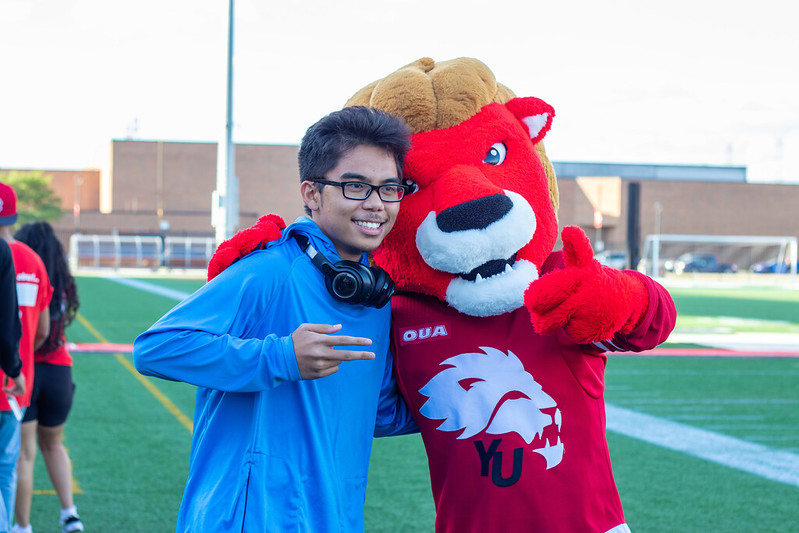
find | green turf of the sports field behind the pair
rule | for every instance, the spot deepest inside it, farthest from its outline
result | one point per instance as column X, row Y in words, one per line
column 129, row 441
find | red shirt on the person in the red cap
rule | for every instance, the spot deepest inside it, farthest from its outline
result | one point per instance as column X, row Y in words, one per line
column 34, row 293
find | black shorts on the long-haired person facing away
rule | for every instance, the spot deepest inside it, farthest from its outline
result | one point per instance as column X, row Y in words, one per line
column 52, row 394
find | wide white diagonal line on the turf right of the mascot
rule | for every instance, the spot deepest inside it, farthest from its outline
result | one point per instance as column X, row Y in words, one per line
column 776, row 465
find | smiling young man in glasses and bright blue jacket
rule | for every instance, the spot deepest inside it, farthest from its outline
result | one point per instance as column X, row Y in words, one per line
column 294, row 381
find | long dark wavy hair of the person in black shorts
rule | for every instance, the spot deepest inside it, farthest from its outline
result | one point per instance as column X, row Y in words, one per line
column 64, row 304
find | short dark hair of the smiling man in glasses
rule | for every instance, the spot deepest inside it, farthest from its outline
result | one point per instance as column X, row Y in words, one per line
column 339, row 132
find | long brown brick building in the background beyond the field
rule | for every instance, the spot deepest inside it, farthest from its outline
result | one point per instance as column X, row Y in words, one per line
column 149, row 182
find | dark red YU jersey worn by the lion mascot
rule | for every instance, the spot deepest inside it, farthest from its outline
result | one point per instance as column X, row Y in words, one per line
column 513, row 421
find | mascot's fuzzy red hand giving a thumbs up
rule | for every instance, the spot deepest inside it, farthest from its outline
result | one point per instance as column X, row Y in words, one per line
column 589, row 301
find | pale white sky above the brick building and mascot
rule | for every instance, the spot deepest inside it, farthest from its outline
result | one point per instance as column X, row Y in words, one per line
column 690, row 82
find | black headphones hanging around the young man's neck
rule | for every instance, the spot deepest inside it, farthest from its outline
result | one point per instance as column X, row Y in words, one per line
column 349, row 281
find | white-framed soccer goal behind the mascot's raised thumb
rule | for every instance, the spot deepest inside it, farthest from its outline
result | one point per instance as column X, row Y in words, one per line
column 744, row 250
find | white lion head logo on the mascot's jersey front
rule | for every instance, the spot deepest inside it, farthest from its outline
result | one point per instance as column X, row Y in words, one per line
column 492, row 391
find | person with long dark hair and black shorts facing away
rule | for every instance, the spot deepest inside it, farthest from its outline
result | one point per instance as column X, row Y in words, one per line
column 53, row 388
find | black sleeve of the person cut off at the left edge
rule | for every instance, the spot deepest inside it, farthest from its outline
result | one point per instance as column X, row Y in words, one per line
column 10, row 326
